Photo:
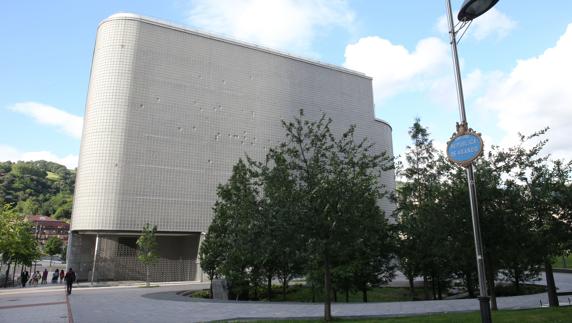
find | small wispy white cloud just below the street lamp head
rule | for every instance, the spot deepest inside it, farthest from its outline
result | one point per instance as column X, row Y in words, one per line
column 492, row 23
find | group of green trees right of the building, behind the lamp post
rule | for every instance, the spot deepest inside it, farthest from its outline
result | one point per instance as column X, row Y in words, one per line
column 524, row 209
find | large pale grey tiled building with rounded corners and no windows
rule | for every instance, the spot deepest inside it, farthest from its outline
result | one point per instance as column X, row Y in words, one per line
column 169, row 111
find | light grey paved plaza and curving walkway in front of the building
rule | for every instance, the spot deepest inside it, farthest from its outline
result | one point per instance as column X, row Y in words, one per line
column 127, row 302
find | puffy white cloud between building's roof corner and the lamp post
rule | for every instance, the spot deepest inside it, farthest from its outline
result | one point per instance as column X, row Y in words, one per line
column 395, row 69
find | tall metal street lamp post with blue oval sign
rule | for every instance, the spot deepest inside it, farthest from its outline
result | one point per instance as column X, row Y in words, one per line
column 466, row 145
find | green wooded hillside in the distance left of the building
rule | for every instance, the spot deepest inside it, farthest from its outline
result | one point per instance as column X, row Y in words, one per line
column 37, row 187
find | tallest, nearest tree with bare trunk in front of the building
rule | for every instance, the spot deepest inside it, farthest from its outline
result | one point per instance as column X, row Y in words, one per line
column 329, row 173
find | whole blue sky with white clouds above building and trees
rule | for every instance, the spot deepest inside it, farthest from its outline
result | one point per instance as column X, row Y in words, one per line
column 515, row 59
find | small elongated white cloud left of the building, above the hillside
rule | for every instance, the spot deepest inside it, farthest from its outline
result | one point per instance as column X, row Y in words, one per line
column 44, row 114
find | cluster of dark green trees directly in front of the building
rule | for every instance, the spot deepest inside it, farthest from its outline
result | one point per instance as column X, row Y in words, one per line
column 311, row 208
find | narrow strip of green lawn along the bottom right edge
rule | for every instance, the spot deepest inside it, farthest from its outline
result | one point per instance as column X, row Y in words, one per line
column 554, row 315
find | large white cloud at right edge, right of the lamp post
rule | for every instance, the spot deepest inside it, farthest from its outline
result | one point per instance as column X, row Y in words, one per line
column 536, row 94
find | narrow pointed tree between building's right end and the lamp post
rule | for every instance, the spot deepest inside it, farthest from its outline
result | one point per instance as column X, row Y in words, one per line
column 420, row 214
